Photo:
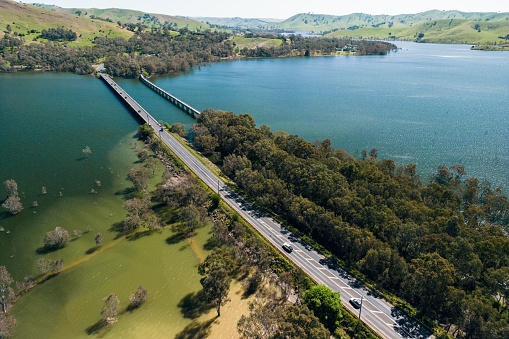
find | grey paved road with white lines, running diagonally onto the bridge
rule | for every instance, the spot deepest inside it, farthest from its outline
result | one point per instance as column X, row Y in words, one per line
column 379, row 315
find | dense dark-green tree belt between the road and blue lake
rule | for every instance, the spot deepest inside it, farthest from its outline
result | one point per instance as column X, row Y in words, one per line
column 441, row 244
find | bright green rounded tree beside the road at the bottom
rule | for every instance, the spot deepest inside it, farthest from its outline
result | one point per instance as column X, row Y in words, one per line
column 325, row 304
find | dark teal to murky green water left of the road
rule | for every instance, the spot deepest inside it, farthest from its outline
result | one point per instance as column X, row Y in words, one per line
column 46, row 119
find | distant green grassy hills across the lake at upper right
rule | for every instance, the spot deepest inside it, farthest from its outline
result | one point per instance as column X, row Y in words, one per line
column 433, row 26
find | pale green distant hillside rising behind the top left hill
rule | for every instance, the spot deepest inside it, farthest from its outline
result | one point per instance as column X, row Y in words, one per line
column 126, row 16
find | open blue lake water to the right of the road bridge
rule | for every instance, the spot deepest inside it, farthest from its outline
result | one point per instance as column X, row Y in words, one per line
column 428, row 104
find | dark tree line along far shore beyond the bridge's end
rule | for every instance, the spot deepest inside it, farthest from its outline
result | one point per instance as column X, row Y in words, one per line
column 159, row 51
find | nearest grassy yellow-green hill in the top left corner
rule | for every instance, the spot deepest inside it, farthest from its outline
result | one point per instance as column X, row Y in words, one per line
column 28, row 21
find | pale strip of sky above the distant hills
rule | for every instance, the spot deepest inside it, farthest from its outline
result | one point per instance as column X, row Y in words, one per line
column 283, row 9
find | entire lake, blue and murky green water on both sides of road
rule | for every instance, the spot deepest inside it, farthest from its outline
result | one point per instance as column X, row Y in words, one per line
column 426, row 104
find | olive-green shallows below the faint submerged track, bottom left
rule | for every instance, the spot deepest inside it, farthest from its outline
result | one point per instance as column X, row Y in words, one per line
column 67, row 305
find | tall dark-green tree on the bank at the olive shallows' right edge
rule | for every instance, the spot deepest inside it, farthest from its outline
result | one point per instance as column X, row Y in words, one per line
column 216, row 285
